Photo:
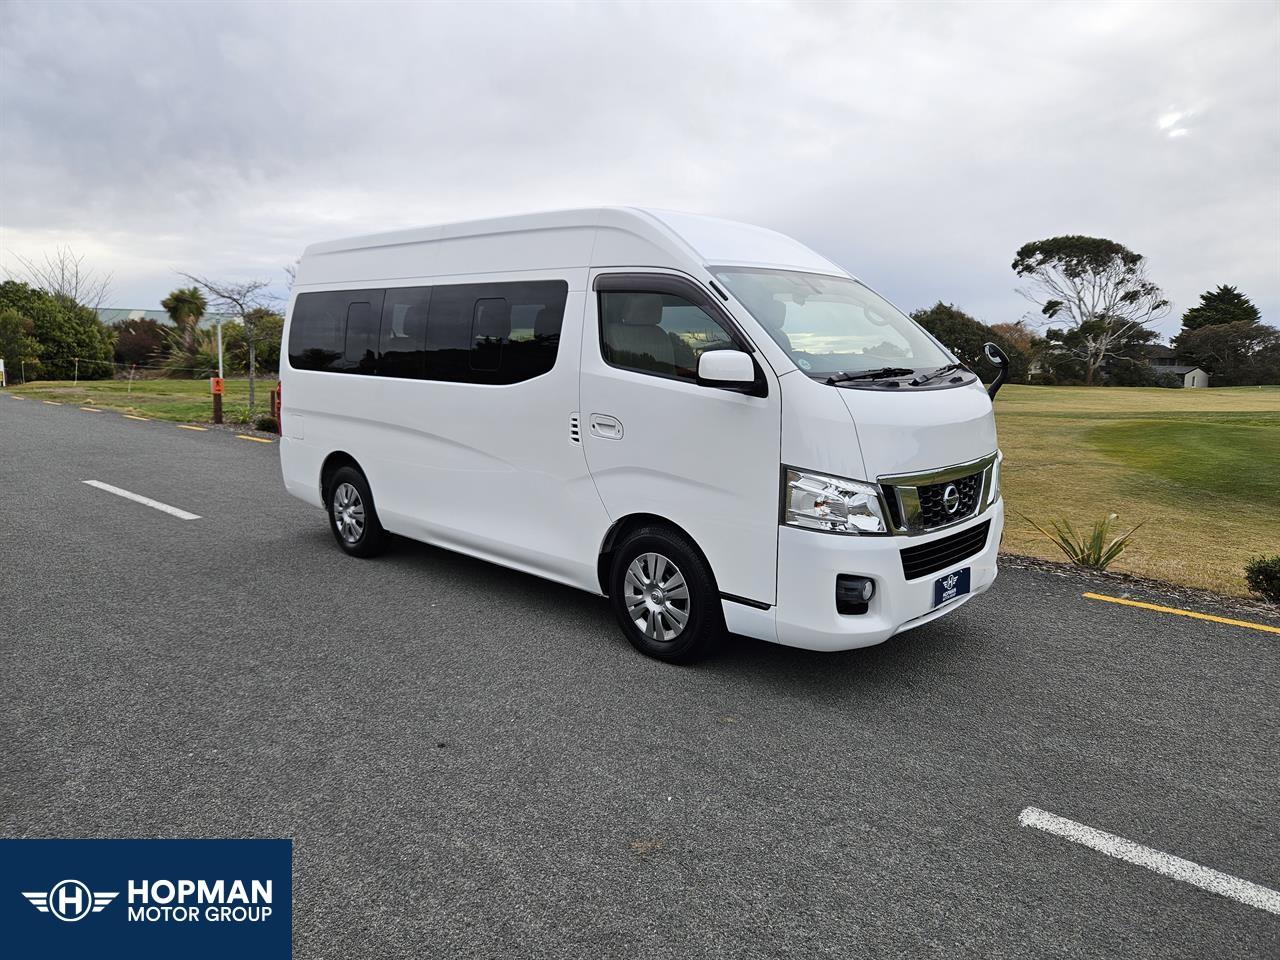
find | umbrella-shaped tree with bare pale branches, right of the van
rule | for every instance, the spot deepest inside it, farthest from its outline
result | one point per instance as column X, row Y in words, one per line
column 1100, row 292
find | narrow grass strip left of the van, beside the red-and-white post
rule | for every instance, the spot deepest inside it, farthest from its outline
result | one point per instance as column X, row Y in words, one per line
column 184, row 401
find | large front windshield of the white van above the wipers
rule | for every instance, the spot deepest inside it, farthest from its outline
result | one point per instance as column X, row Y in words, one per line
column 833, row 326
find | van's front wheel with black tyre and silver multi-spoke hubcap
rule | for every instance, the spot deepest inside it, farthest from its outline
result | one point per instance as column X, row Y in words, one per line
column 665, row 596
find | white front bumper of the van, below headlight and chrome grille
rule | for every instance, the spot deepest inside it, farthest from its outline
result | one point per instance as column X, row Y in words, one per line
column 808, row 564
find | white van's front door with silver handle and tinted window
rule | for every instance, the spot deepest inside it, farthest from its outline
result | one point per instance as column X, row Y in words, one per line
column 702, row 458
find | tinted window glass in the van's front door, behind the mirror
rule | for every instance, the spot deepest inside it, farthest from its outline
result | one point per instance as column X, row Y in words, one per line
column 659, row 333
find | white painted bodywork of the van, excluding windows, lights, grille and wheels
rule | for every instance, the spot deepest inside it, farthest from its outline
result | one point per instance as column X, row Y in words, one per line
column 493, row 470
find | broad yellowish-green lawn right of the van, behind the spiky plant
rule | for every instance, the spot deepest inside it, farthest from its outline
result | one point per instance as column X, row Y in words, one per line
column 1201, row 468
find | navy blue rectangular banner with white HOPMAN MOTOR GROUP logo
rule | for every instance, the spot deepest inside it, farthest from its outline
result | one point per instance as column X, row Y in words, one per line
column 144, row 899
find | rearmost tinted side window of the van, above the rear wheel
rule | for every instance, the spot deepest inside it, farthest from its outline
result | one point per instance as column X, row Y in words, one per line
column 319, row 331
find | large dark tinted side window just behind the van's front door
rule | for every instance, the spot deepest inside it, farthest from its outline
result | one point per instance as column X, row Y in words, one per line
column 495, row 333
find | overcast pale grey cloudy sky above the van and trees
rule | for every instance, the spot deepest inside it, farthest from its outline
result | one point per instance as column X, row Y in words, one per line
column 918, row 145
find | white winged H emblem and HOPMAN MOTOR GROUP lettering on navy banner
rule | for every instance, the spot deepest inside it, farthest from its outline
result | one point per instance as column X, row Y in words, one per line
column 162, row 902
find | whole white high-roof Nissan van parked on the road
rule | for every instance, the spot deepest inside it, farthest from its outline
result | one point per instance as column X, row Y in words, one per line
column 705, row 422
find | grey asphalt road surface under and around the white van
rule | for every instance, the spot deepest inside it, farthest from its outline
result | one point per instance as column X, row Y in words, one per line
column 473, row 762
